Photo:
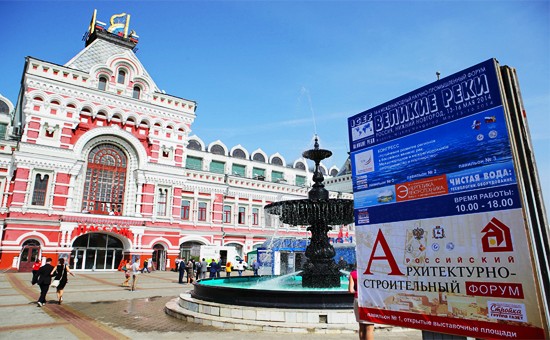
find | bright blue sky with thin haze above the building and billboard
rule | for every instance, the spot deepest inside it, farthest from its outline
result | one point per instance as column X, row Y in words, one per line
column 271, row 74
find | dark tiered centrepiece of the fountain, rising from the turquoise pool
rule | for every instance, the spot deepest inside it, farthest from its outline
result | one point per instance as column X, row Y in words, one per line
column 319, row 212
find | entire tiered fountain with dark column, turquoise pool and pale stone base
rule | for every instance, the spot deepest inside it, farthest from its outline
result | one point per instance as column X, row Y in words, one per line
column 321, row 300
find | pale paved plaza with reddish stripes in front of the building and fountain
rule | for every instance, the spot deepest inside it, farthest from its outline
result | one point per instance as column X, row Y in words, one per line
column 95, row 306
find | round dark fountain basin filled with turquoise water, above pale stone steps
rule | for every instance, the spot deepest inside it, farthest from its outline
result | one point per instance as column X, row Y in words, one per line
column 240, row 291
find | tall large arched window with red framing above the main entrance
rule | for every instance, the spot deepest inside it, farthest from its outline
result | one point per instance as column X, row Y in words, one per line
column 105, row 181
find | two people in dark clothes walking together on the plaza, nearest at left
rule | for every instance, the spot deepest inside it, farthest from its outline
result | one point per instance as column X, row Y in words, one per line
column 43, row 274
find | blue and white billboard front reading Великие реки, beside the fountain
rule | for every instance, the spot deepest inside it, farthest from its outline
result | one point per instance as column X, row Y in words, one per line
column 442, row 242
